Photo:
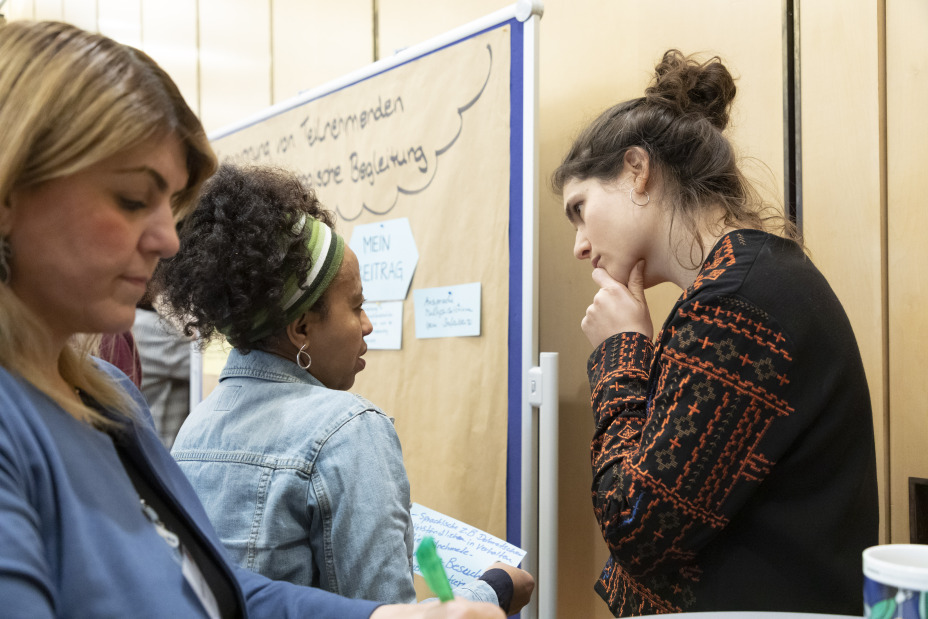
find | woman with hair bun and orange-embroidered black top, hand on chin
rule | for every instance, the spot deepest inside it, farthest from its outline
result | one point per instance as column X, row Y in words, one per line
column 733, row 456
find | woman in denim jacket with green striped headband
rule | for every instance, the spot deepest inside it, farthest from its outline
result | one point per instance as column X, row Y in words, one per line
column 304, row 481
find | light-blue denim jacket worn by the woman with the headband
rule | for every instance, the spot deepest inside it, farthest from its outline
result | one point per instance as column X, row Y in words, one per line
column 304, row 483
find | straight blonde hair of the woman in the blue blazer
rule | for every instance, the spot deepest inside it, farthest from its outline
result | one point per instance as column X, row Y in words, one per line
column 69, row 99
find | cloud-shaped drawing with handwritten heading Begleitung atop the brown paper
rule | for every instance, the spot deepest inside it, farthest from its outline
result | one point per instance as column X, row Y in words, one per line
column 364, row 145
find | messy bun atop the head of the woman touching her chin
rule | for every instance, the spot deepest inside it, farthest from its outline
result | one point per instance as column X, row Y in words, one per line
column 688, row 86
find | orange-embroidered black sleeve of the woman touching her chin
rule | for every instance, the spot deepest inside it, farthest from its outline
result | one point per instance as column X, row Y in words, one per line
column 675, row 455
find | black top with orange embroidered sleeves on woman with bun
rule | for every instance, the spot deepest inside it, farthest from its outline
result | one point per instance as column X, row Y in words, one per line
column 733, row 459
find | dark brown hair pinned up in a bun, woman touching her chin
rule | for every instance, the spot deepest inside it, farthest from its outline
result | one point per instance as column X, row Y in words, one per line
column 679, row 122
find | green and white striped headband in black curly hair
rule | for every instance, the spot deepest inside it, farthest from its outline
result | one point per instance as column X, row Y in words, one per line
column 326, row 249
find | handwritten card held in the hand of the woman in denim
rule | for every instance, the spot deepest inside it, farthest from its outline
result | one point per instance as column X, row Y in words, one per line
column 465, row 551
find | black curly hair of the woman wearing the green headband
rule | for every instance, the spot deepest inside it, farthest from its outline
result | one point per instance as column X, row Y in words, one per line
column 238, row 249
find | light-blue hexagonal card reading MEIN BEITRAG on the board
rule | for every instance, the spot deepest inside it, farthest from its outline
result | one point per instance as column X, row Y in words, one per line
column 387, row 256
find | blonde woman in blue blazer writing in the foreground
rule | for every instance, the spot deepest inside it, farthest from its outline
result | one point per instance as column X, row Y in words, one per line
column 100, row 154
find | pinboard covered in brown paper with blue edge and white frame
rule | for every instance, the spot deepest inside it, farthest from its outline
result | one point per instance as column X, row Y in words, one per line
column 430, row 157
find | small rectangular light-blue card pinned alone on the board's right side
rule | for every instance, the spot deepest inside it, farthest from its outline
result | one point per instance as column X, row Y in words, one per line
column 449, row 311
